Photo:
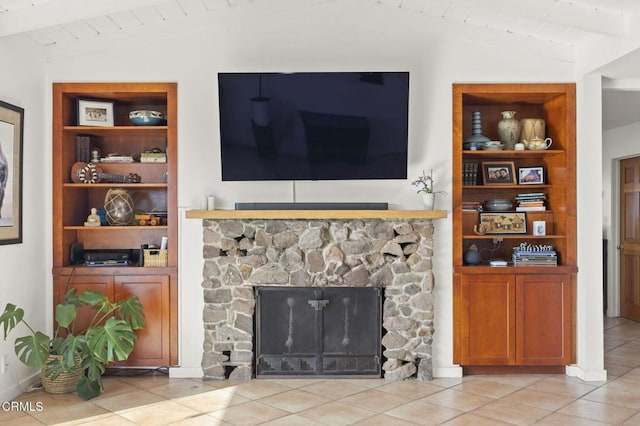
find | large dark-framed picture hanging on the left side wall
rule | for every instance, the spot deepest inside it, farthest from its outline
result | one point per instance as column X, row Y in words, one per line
column 11, row 131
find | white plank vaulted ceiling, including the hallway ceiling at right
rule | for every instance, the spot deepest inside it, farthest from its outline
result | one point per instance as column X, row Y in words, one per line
column 557, row 25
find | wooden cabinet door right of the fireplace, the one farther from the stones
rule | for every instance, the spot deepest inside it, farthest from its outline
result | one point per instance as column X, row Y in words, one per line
column 543, row 318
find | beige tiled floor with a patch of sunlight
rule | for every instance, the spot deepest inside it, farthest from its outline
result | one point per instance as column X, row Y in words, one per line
column 473, row 400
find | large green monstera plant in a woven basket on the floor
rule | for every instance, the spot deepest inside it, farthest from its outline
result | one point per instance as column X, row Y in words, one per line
column 74, row 348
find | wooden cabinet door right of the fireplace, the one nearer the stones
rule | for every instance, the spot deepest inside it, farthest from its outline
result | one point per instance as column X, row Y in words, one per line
column 487, row 327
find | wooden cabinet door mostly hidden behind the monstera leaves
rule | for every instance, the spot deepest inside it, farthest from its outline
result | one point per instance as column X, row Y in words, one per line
column 101, row 283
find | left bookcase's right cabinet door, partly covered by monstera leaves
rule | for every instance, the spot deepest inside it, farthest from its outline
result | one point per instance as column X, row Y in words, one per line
column 152, row 346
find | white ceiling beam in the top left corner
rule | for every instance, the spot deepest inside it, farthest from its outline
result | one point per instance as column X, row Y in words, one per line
column 58, row 12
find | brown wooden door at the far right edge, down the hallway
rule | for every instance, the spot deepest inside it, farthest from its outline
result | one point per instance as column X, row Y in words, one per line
column 630, row 238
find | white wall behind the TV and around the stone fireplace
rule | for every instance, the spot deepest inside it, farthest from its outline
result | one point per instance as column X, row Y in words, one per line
column 306, row 39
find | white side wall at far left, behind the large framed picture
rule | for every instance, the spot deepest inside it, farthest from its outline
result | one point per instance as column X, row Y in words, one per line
column 24, row 268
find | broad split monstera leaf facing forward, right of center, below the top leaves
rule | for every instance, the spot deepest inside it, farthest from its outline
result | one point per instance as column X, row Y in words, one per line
column 112, row 342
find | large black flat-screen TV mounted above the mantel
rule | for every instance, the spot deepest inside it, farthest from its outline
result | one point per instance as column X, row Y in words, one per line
column 313, row 125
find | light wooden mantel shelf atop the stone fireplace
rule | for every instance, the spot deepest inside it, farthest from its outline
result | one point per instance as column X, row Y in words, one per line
column 316, row 214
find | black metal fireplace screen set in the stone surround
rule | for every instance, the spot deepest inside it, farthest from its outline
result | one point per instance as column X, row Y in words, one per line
column 303, row 331
